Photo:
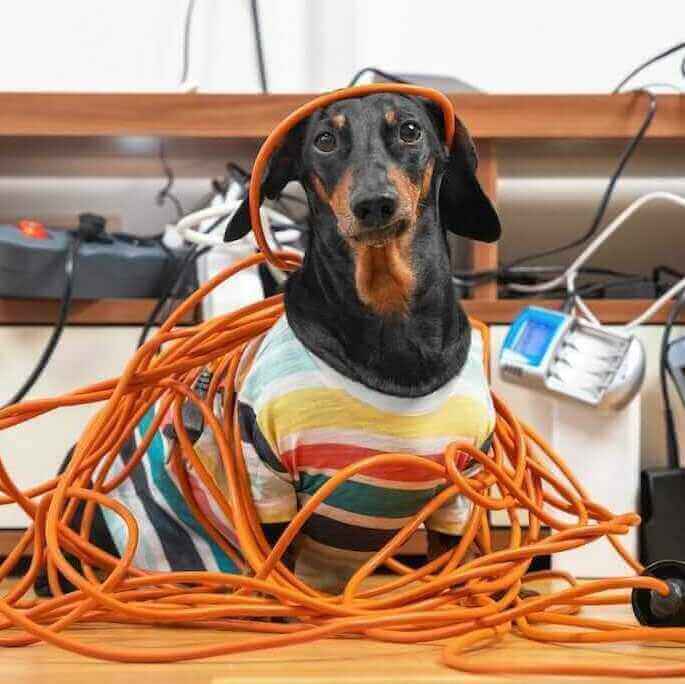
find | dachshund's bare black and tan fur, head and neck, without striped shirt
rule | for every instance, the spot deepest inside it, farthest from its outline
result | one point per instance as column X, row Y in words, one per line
column 374, row 297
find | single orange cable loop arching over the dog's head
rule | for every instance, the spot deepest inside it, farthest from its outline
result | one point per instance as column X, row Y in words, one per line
column 279, row 133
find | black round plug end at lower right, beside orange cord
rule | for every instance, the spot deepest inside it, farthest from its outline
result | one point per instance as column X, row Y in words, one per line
column 654, row 610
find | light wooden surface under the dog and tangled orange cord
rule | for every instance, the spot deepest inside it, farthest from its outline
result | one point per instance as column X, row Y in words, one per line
column 329, row 661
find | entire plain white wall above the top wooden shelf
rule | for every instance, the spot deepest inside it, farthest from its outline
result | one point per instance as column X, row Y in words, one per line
column 501, row 46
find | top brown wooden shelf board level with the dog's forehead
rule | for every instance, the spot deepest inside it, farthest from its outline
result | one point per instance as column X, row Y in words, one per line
column 254, row 116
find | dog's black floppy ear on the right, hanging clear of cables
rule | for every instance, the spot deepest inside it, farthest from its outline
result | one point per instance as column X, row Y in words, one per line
column 463, row 206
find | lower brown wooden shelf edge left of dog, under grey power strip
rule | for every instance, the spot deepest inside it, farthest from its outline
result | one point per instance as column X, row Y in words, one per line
column 83, row 312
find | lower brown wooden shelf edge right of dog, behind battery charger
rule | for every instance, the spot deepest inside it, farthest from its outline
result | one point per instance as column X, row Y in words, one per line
column 607, row 310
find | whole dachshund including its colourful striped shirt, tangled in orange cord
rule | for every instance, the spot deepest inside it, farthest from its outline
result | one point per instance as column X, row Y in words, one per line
column 373, row 355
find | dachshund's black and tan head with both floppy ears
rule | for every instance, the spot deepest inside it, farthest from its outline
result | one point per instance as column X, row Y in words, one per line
column 373, row 166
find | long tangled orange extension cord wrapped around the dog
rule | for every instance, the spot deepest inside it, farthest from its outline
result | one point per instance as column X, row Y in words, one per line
column 467, row 603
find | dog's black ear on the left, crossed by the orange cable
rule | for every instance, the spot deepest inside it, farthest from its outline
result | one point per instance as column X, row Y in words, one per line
column 283, row 167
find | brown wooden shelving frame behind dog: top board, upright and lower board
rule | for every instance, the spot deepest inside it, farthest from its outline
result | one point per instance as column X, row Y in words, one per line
column 247, row 117
